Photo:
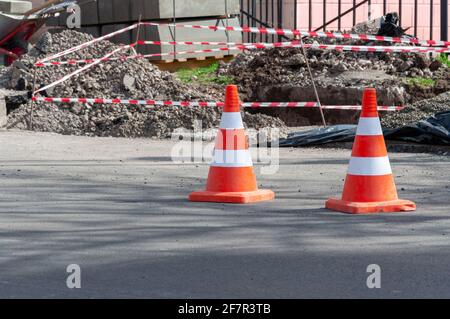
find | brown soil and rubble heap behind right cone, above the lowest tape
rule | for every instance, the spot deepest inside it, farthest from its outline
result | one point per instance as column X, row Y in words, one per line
column 330, row 68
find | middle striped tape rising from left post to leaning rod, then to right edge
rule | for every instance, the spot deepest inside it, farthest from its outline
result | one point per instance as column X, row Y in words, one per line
column 293, row 44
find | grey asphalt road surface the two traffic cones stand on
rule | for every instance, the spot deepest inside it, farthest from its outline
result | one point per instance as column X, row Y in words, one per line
column 119, row 209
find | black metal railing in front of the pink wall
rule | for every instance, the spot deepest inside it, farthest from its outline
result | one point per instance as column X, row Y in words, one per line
column 273, row 14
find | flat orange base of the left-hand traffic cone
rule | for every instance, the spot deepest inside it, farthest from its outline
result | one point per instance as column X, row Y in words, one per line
column 232, row 197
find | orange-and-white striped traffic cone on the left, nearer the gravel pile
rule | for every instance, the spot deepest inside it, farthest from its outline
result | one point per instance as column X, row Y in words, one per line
column 231, row 178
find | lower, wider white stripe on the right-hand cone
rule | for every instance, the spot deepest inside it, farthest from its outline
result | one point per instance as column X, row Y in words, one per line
column 369, row 166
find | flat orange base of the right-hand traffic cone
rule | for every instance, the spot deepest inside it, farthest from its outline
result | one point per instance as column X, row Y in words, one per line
column 394, row 206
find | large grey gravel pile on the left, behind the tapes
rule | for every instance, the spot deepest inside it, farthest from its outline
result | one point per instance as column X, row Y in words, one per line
column 131, row 79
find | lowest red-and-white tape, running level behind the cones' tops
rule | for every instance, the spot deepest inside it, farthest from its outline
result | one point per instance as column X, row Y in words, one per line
column 208, row 104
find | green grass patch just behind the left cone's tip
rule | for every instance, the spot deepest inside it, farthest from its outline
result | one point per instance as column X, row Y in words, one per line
column 203, row 75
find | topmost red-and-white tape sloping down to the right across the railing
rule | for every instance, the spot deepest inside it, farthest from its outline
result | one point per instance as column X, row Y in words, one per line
column 290, row 32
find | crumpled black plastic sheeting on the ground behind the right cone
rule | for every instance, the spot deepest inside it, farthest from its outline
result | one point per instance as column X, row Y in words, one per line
column 433, row 131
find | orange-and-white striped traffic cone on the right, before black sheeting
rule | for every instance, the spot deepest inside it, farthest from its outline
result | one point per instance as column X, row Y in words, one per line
column 369, row 187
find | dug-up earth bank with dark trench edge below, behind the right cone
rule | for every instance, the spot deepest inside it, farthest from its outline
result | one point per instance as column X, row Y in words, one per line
column 277, row 75
